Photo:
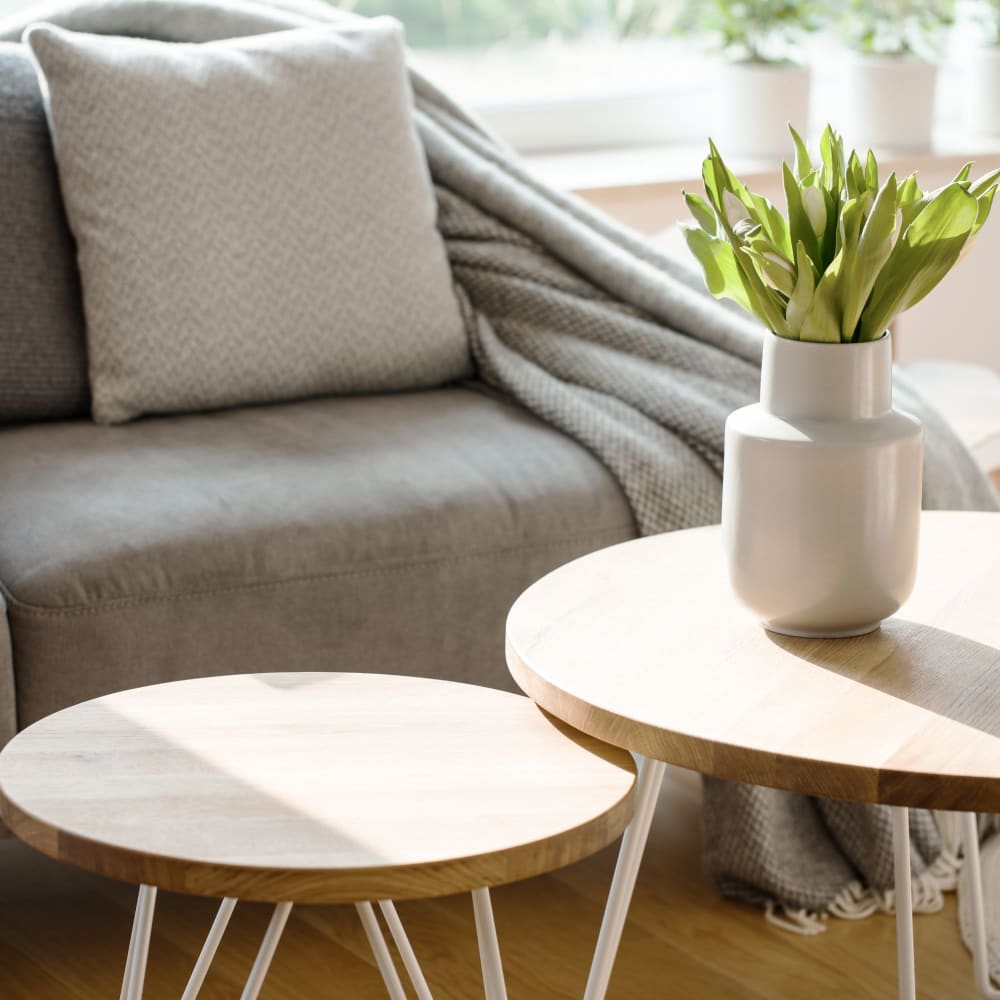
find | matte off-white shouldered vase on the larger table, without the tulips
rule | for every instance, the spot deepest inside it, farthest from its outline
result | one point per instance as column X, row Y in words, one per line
column 821, row 491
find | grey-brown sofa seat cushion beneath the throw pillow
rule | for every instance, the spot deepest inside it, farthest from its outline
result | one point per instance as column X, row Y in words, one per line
column 386, row 533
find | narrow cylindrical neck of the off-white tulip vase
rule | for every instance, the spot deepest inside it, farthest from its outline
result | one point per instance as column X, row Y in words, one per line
column 804, row 380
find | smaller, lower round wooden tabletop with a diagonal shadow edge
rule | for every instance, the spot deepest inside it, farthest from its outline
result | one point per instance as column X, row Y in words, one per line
column 313, row 787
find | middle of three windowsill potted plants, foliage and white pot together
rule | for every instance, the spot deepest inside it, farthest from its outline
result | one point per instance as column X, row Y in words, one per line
column 891, row 75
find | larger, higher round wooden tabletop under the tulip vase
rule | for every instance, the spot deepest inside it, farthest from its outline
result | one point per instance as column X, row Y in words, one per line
column 643, row 645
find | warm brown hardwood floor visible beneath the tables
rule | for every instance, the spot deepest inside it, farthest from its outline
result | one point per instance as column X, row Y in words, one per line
column 63, row 934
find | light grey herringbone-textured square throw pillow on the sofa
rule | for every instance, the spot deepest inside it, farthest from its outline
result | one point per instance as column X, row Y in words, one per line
column 255, row 217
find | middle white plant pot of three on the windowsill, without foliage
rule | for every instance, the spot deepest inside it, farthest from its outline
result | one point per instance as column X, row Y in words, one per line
column 889, row 102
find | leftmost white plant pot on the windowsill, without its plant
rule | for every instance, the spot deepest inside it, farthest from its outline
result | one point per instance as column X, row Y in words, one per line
column 756, row 101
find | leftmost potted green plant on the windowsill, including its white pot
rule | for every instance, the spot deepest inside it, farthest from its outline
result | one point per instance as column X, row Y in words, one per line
column 763, row 84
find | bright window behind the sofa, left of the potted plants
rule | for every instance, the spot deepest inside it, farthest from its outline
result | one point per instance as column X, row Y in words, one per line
column 557, row 74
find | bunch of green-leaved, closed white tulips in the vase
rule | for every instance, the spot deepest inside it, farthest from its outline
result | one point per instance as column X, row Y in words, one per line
column 852, row 252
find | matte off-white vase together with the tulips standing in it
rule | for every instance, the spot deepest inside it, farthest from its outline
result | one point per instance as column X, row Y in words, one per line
column 822, row 481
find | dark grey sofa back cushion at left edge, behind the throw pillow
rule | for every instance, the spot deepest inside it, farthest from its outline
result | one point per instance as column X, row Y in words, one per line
column 43, row 366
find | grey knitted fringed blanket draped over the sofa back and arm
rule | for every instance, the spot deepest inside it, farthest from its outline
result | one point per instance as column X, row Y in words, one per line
column 599, row 334
